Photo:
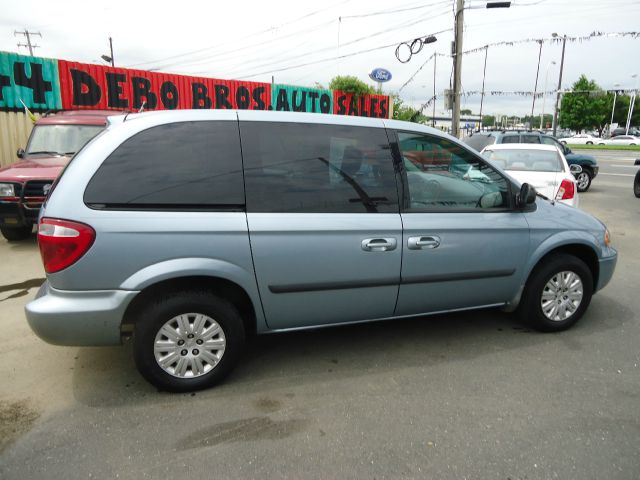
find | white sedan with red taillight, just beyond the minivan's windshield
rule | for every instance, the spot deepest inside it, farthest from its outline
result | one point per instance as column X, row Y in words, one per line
column 542, row 166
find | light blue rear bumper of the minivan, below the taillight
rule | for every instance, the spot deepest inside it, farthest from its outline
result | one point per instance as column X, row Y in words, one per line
column 79, row 318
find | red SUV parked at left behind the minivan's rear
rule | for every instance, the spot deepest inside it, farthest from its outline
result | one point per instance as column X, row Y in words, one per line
column 24, row 184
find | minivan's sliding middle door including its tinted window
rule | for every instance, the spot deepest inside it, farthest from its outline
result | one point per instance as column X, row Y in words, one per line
column 324, row 222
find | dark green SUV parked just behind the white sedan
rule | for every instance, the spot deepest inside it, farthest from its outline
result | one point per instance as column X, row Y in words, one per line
column 587, row 162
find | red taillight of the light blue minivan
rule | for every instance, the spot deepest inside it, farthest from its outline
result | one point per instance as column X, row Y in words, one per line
column 63, row 242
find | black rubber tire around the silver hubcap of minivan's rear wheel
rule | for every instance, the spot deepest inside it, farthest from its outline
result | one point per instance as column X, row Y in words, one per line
column 157, row 313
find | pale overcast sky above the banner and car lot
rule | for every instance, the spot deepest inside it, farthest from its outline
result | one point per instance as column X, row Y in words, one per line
column 253, row 40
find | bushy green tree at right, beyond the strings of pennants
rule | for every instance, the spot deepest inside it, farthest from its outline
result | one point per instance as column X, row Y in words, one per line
column 585, row 106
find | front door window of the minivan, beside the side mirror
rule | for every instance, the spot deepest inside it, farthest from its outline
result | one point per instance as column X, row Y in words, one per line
column 442, row 175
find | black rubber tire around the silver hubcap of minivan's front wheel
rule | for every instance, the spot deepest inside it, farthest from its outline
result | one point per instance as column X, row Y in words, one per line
column 530, row 309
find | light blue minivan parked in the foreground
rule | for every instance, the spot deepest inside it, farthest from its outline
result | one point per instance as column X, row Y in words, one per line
column 190, row 229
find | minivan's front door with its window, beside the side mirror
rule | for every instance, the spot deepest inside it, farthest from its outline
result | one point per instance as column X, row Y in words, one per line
column 463, row 244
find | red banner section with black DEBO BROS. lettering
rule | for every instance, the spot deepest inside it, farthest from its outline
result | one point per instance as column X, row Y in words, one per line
column 85, row 86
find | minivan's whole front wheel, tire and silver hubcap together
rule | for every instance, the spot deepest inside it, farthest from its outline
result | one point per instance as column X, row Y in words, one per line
column 557, row 293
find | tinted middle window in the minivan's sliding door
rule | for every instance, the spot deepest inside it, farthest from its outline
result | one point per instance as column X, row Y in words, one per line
column 311, row 168
